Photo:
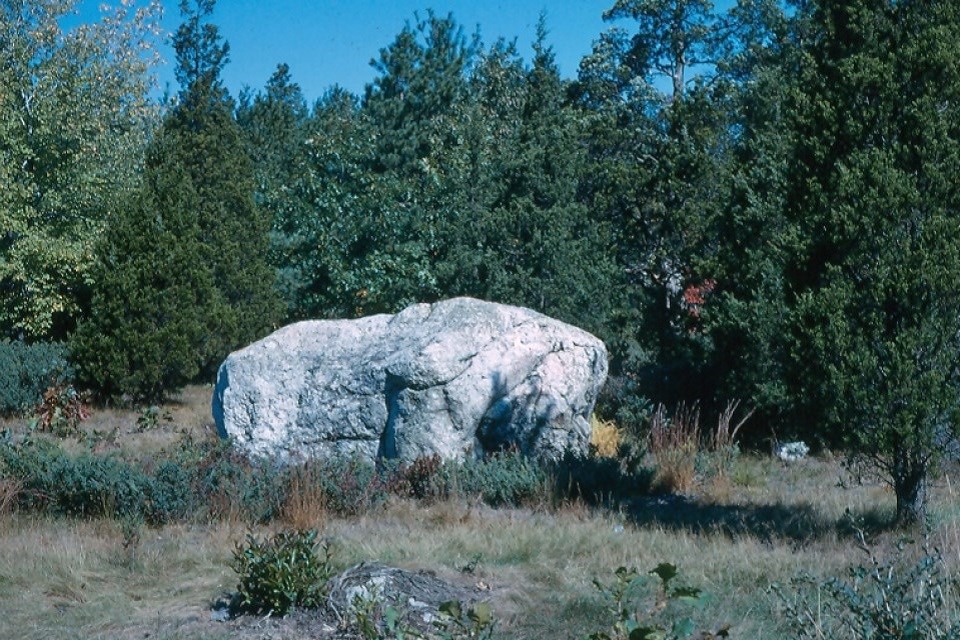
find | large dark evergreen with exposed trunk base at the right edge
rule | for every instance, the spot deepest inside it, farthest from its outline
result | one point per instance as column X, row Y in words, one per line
column 874, row 198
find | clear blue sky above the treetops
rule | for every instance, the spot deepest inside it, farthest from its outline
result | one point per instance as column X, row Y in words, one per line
column 329, row 42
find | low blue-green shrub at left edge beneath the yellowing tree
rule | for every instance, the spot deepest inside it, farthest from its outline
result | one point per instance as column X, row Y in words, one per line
column 26, row 370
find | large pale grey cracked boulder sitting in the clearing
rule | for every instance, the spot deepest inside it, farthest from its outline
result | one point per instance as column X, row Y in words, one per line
column 456, row 378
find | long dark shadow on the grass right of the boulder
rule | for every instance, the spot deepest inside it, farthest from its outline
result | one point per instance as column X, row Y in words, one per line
column 767, row 522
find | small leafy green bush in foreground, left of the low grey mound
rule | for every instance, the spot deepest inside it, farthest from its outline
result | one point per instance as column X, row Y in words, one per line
column 281, row 572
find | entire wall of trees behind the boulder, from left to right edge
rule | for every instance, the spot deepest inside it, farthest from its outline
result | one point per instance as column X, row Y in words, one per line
column 730, row 199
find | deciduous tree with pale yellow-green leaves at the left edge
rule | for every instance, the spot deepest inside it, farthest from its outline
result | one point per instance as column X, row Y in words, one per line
column 74, row 118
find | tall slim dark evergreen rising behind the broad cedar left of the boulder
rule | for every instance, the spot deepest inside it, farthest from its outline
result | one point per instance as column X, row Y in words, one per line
column 206, row 143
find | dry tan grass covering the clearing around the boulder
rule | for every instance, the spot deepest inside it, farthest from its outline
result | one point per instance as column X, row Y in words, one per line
column 762, row 522
